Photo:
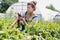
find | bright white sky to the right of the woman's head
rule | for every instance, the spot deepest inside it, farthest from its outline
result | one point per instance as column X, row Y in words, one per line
column 41, row 5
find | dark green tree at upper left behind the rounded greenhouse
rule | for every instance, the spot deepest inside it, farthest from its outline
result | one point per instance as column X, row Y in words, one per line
column 4, row 5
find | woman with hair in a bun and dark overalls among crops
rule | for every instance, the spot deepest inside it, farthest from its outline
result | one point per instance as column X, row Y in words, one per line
column 28, row 16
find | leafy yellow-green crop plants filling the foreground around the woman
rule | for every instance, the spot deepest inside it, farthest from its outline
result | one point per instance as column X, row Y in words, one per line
column 40, row 31
